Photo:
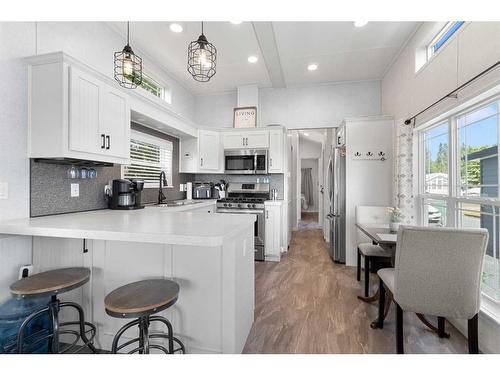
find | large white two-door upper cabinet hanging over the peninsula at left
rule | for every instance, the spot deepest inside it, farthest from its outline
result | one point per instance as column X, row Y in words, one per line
column 75, row 112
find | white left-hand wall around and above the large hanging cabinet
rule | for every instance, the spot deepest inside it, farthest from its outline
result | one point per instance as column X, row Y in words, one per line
column 91, row 42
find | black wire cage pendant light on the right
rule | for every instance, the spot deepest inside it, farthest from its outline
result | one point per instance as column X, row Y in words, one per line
column 202, row 58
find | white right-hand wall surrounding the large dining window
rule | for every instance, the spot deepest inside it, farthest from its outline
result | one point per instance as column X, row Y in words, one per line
column 404, row 92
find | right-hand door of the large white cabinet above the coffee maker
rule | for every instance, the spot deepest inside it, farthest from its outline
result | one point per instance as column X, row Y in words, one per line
column 115, row 125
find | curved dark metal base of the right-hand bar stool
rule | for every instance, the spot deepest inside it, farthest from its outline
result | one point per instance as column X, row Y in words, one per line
column 144, row 346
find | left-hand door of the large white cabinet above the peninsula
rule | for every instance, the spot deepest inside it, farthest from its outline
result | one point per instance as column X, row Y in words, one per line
column 84, row 113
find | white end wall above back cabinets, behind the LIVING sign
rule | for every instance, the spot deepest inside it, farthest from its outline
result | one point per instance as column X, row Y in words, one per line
column 298, row 107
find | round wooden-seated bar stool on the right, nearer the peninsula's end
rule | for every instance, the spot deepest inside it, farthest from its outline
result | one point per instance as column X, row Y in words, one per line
column 140, row 300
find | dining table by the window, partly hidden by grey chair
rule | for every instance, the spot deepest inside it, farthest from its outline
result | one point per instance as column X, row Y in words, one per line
column 382, row 235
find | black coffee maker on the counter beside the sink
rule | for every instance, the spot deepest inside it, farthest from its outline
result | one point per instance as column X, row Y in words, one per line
column 125, row 195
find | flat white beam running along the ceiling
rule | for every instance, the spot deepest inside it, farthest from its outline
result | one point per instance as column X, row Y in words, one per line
column 264, row 33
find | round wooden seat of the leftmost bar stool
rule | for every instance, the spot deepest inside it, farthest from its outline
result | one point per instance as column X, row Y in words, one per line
column 51, row 282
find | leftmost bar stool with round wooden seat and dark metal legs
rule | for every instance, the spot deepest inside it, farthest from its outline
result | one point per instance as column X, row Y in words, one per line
column 52, row 283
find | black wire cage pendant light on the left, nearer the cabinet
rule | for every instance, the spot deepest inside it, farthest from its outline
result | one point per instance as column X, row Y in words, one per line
column 128, row 66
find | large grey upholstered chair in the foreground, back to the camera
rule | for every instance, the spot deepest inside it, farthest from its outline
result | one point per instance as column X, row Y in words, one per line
column 437, row 272
